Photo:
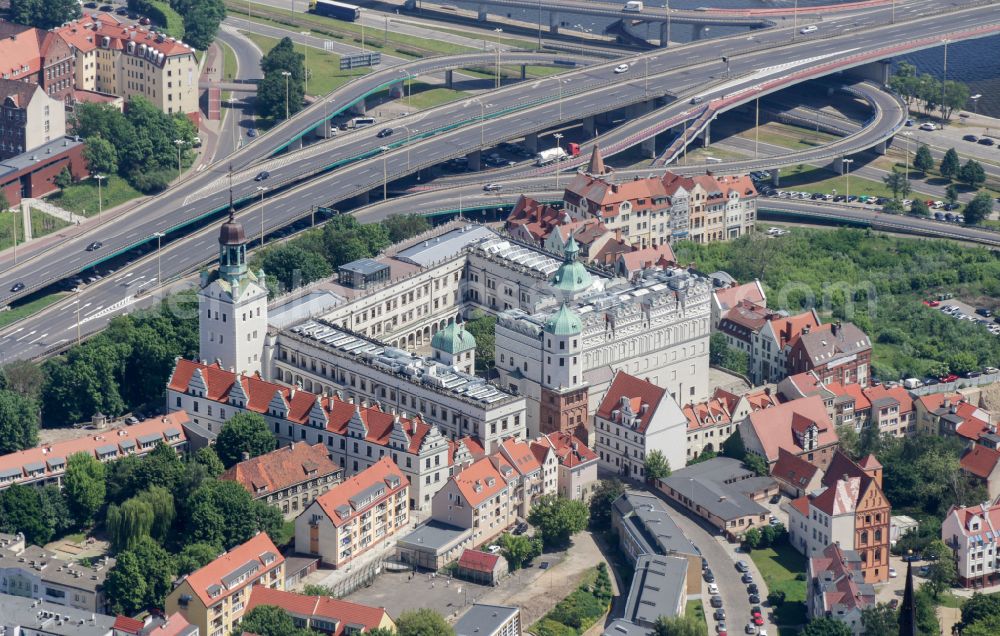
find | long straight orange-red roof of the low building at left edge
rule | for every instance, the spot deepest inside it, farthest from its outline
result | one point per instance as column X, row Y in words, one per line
column 123, row 439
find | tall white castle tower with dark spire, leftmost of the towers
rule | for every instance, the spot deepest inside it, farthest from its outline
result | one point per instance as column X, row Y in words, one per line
column 232, row 306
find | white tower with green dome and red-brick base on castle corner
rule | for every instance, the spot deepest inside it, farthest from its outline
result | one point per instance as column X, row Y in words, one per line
column 563, row 392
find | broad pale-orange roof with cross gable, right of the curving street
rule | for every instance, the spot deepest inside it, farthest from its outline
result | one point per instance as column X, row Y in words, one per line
column 775, row 426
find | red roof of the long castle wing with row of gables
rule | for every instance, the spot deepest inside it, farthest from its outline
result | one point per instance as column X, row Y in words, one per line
column 378, row 423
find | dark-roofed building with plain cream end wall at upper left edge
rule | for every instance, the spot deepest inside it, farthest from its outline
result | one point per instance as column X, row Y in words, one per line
column 30, row 118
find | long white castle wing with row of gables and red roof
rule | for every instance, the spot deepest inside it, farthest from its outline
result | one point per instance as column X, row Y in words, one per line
column 355, row 434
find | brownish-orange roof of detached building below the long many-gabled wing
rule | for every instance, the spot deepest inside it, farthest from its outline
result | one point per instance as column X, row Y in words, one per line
column 282, row 468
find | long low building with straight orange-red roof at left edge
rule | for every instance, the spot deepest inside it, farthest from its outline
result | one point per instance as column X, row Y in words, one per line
column 46, row 464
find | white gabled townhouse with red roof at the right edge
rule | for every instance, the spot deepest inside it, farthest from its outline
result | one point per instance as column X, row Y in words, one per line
column 972, row 533
